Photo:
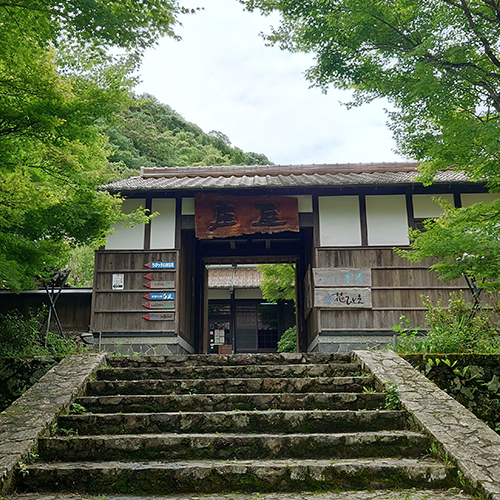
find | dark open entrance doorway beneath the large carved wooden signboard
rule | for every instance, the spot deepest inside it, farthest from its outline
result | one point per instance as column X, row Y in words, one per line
column 236, row 320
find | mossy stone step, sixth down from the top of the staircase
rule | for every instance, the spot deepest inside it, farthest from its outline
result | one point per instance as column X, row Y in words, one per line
column 233, row 446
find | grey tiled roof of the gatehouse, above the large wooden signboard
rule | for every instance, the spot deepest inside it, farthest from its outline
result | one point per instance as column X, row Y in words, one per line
column 276, row 176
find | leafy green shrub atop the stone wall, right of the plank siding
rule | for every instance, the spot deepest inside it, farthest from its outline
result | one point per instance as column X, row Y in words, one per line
column 454, row 328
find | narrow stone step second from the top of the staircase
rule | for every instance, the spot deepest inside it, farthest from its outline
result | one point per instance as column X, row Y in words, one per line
column 238, row 371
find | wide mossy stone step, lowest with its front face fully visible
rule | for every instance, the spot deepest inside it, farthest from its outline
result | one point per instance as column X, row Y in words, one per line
column 208, row 477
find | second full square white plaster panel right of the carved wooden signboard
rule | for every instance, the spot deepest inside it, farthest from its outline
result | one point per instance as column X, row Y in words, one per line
column 387, row 220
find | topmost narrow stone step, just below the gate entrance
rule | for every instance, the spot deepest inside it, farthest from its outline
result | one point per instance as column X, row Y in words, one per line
column 226, row 359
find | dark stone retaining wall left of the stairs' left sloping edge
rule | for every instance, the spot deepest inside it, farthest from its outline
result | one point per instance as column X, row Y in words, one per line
column 18, row 375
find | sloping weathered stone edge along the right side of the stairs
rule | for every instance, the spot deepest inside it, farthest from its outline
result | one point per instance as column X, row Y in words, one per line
column 467, row 440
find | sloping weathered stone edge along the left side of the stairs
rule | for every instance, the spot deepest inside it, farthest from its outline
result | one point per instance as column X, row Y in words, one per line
column 29, row 417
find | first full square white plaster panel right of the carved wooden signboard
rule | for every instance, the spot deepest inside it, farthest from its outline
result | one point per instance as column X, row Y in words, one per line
column 339, row 221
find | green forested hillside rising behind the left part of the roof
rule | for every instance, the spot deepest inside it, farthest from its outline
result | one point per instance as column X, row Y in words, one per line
column 152, row 134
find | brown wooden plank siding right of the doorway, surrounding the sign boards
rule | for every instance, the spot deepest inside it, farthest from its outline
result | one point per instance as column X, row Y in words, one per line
column 397, row 289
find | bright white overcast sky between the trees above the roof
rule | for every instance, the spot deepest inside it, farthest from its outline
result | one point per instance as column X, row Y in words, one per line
column 222, row 77
